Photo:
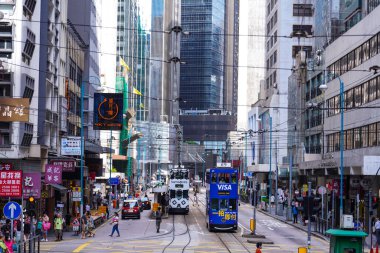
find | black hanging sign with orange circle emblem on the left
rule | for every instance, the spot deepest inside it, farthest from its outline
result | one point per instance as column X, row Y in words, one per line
column 108, row 111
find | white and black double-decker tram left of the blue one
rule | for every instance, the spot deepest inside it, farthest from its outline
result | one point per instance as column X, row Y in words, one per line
column 179, row 185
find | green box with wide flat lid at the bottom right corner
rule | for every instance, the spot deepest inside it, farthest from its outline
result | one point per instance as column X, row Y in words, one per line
column 346, row 241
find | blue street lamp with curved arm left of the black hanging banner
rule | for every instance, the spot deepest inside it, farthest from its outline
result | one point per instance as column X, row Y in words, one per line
column 99, row 89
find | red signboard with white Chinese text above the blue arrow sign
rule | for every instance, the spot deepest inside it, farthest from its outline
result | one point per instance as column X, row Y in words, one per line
column 11, row 183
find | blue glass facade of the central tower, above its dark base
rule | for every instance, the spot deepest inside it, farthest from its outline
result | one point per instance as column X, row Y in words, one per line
column 201, row 79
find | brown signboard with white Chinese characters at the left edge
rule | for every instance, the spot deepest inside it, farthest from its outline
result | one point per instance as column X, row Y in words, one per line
column 14, row 109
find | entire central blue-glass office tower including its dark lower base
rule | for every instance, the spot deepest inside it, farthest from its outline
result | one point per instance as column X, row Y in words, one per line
column 208, row 80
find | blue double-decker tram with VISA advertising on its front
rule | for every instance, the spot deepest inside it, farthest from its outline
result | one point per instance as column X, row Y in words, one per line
column 222, row 199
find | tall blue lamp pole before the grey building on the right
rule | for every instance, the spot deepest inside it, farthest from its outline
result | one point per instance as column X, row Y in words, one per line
column 341, row 144
